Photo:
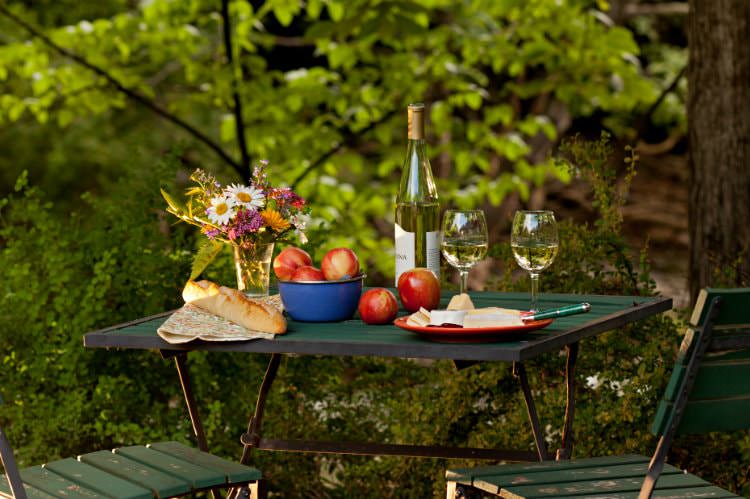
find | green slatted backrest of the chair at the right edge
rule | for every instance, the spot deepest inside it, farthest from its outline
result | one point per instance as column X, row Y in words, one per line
column 719, row 398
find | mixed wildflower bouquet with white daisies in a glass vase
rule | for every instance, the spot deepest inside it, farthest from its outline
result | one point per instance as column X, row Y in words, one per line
column 249, row 218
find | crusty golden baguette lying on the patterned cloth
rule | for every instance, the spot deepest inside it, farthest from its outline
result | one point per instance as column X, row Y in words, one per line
column 233, row 305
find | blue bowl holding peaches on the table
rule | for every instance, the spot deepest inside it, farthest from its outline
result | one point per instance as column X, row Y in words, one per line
column 321, row 301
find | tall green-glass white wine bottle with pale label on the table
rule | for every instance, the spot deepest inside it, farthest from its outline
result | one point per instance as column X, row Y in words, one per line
column 417, row 228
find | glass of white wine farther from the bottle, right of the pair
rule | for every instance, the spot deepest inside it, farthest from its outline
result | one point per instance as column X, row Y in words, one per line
column 534, row 242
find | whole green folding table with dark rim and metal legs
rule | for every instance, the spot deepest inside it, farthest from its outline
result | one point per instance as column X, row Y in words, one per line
column 355, row 338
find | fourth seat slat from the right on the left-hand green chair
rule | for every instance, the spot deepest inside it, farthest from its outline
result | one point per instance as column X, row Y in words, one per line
column 98, row 480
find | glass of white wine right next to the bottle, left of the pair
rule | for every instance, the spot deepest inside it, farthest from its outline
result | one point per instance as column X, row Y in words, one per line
column 464, row 241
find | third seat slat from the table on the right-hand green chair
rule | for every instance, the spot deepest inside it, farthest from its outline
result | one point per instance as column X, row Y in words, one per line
column 633, row 484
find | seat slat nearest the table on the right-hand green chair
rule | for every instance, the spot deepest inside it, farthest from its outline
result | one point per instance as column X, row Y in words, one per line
column 466, row 475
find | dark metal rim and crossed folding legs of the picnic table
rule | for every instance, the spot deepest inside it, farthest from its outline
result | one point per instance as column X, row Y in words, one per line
column 462, row 354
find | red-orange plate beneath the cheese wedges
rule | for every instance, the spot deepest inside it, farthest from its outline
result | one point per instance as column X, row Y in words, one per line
column 448, row 334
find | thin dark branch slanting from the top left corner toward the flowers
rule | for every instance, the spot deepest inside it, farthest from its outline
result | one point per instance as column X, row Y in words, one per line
column 132, row 94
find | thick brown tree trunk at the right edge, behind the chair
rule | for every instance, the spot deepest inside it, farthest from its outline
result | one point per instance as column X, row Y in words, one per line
column 719, row 138
